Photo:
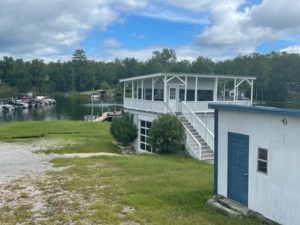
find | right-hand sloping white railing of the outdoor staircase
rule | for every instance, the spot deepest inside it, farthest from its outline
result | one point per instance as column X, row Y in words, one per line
column 200, row 127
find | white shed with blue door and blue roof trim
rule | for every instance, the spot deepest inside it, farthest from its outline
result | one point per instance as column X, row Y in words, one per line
column 257, row 159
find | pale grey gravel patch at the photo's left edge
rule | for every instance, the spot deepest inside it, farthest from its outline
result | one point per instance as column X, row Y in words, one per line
column 17, row 160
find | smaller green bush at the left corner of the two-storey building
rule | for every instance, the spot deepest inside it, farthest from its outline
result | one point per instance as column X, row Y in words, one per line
column 123, row 129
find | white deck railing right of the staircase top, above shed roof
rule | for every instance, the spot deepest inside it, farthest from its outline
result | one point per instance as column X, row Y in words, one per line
column 202, row 106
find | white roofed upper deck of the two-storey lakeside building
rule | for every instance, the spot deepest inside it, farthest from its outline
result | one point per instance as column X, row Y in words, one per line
column 165, row 92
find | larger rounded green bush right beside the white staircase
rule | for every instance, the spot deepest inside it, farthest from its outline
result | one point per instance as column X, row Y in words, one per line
column 167, row 134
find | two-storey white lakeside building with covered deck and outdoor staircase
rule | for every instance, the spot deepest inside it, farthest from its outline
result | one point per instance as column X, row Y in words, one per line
column 187, row 96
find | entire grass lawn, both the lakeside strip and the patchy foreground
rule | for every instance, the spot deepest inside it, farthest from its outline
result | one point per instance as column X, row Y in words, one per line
column 127, row 190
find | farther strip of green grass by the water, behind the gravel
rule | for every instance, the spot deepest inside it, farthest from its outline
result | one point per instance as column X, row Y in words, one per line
column 78, row 136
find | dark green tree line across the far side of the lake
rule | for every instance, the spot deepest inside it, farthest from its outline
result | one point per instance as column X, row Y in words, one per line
column 278, row 74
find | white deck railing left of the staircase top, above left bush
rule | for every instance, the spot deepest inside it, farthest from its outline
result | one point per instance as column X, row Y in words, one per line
column 145, row 105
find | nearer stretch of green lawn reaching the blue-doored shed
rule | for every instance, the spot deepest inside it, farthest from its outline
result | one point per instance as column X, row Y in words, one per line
column 160, row 189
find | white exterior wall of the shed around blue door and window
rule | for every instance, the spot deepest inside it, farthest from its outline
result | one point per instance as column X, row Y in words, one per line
column 275, row 195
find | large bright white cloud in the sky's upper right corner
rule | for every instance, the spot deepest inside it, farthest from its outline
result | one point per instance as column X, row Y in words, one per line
column 240, row 31
